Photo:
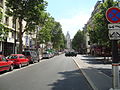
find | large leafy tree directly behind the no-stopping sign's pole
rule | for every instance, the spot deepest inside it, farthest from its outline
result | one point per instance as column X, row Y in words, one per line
column 99, row 30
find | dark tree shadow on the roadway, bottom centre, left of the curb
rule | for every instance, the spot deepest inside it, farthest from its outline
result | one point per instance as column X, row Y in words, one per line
column 72, row 80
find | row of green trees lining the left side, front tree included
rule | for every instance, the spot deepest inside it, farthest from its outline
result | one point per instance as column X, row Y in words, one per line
column 33, row 12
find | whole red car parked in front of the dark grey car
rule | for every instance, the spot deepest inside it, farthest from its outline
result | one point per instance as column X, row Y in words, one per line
column 18, row 60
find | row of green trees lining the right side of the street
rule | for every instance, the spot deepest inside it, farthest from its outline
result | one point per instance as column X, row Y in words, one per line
column 97, row 29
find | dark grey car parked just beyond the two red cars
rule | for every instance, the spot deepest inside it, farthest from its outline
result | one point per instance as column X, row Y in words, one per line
column 31, row 55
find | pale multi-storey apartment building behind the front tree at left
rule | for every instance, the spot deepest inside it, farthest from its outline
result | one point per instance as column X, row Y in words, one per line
column 10, row 43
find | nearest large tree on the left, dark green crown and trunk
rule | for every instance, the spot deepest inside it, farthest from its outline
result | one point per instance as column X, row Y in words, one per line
column 28, row 10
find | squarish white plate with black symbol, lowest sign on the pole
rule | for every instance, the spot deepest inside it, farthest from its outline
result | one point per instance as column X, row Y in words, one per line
column 114, row 34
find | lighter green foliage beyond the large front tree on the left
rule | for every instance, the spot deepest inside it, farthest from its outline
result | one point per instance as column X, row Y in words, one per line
column 52, row 32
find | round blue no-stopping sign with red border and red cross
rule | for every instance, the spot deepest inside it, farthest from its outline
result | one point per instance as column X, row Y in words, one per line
column 113, row 15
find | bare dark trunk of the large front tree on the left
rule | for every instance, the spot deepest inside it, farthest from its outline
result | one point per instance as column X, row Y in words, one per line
column 20, row 35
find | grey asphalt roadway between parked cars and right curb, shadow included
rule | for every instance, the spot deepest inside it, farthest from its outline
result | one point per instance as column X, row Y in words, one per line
column 57, row 73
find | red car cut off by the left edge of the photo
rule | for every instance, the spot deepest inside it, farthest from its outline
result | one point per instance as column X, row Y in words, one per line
column 5, row 65
